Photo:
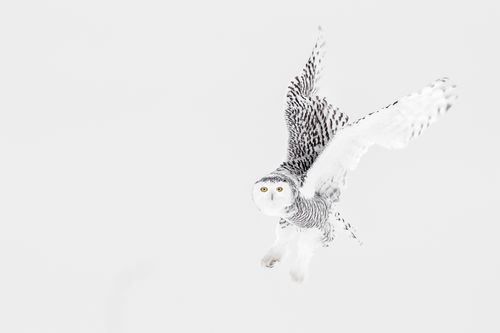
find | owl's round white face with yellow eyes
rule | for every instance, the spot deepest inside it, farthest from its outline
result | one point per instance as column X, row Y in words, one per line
column 272, row 197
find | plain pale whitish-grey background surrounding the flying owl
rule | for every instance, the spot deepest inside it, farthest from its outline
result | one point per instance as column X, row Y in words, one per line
column 131, row 133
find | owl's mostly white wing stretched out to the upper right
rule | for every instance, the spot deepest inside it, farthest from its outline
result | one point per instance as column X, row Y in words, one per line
column 391, row 127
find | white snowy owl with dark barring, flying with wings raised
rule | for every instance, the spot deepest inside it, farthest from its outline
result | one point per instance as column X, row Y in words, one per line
column 323, row 145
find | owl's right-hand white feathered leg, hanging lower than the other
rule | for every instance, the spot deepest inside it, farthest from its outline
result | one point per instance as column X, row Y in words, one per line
column 309, row 240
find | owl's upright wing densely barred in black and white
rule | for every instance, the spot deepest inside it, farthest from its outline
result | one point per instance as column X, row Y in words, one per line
column 310, row 119
